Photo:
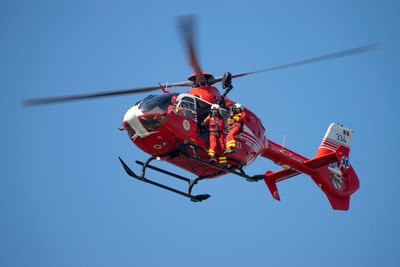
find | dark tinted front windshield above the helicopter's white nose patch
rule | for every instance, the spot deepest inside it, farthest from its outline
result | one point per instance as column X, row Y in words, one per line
column 156, row 103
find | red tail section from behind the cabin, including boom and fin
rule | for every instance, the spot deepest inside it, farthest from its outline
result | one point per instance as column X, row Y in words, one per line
column 330, row 169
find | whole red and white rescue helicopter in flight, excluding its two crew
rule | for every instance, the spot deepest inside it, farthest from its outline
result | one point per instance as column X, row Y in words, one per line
column 169, row 128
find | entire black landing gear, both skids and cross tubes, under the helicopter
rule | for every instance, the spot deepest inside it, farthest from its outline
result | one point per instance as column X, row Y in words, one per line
column 182, row 149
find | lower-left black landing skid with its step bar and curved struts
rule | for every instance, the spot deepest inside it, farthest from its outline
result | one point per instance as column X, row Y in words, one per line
column 196, row 198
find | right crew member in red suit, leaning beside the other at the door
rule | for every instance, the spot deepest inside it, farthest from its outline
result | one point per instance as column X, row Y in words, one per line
column 236, row 122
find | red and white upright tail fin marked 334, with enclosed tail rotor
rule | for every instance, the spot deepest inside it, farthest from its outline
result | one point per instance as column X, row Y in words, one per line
column 335, row 175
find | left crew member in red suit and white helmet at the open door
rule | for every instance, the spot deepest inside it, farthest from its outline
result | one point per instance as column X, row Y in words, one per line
column 216, row 126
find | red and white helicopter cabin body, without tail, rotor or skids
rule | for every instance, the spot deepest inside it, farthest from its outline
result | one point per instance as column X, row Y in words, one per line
column 157, row 123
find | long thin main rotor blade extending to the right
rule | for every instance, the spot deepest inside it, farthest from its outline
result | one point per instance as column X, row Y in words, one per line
column 349, row 52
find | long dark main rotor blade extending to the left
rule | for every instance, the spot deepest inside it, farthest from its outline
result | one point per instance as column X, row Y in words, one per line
column 48, row 100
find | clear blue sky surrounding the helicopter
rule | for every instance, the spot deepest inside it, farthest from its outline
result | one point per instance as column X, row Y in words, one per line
column 65, row 199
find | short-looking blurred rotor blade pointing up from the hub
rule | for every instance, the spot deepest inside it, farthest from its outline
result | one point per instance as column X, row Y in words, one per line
column 187, row 24
